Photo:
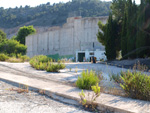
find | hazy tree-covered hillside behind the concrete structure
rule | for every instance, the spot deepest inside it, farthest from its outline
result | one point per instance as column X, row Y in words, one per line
column 47, row 15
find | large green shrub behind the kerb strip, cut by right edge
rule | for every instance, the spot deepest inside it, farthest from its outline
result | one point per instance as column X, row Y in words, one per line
column 136, row 85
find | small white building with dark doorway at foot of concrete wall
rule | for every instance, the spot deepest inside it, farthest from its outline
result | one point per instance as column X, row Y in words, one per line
column 85, row 56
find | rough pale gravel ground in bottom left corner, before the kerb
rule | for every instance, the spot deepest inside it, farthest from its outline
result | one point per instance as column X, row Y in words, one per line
column 32, row 102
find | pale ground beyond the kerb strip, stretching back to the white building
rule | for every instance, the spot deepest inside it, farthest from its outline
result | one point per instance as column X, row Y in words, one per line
column 67, row 75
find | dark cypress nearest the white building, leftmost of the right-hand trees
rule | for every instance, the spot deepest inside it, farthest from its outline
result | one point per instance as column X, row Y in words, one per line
column 108, row 36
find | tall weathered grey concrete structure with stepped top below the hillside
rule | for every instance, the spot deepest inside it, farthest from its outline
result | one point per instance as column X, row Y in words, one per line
column 78, row 34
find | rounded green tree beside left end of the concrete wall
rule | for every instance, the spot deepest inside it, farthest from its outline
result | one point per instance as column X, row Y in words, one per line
column 23, row 32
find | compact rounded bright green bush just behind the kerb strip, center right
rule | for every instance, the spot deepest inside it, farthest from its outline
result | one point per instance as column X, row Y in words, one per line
column 87, row 80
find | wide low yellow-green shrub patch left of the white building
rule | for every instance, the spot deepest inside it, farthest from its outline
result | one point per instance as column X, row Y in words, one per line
column 42, row 62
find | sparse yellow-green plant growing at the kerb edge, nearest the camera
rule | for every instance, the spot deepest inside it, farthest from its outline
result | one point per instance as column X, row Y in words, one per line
column 89, row 103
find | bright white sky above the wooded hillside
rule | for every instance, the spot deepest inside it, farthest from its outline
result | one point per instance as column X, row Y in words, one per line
column 32, row 3
